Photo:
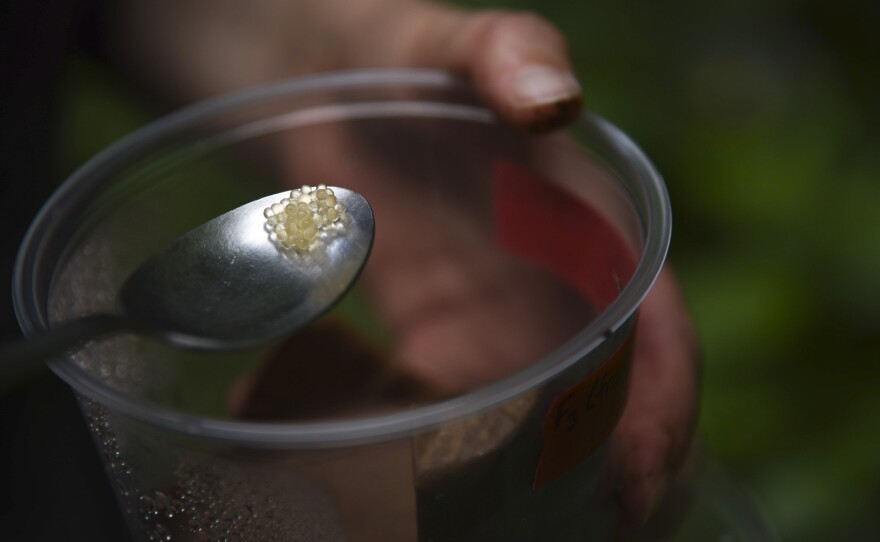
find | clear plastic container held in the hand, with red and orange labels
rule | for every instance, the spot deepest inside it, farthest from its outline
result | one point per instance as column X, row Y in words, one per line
column 466, row 388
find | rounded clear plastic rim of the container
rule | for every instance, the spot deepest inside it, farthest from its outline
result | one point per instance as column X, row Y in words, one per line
column 32, row 319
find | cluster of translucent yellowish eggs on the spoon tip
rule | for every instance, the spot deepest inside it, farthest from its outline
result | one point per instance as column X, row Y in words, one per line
column 298, row 219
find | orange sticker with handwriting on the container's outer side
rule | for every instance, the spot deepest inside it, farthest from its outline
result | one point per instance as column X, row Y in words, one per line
column 582, row 417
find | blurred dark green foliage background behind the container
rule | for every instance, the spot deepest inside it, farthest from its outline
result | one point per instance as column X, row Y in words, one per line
column 763, row 118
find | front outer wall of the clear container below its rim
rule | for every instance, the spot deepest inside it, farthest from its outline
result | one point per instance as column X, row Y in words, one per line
column 474, row 479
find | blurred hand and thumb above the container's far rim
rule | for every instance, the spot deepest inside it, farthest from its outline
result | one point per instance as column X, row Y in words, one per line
column 188, row 50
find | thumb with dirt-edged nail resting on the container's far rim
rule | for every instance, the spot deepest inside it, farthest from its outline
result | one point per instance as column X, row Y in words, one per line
column 518, row 61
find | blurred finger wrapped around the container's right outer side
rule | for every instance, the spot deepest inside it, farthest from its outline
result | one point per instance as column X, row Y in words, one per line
column 655, row 430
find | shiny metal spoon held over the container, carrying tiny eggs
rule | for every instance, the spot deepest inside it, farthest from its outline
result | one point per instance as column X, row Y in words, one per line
column 223, row 285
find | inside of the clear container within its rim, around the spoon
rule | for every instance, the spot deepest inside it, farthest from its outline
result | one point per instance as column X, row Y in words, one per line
column 502, row 245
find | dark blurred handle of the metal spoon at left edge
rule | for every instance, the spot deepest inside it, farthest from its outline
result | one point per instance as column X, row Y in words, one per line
column 21, row 360
